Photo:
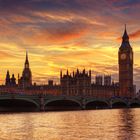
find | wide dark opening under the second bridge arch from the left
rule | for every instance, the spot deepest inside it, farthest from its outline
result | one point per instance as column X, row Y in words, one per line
column 62, row 104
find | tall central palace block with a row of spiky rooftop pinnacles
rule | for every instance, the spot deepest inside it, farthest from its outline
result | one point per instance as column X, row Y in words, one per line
column 77, row 83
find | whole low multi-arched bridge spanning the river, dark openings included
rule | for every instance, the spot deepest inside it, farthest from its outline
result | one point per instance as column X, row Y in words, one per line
column 40, row 102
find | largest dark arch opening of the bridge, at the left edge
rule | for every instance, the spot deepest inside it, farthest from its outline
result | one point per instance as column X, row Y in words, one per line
column 18, row 104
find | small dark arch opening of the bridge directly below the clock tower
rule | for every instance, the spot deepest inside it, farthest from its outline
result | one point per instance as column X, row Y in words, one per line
column 119, row 103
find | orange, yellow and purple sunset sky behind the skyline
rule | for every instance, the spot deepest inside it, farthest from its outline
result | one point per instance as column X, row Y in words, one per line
column 67, row 34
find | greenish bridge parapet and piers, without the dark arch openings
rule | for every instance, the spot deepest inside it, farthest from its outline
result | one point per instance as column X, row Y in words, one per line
column 42, row 100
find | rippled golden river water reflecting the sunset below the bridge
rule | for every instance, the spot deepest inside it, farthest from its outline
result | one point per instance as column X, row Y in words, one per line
column 117, row 124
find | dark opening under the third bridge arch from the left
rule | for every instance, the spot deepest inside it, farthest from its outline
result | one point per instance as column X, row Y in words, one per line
column 97, row 104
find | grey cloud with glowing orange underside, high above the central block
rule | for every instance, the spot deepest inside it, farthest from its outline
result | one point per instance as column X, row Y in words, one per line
column 60, row 34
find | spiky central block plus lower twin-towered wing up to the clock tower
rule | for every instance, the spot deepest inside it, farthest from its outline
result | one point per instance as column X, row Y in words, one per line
column 79, row 84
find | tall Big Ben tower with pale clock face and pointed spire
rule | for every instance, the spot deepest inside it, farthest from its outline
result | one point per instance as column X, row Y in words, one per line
column 125, row 67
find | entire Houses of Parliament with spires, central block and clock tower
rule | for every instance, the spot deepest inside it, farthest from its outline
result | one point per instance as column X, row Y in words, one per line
column 78, row 83
